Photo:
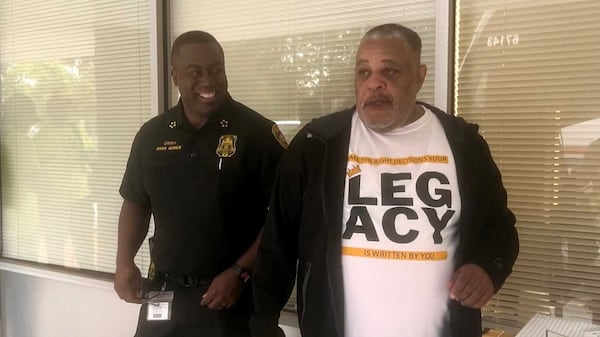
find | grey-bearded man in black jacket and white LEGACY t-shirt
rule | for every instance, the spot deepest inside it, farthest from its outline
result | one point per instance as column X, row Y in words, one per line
column 391, row 214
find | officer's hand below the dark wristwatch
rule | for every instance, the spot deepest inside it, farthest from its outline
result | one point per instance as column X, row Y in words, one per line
column 224, row 291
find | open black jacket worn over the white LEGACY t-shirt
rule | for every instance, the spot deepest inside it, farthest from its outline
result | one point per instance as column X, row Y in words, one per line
column 302, row 235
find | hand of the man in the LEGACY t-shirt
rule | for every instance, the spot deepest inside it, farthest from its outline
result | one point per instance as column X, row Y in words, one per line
column 471, row 286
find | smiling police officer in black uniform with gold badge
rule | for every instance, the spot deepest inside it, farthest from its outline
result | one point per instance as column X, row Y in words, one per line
column 204, row 171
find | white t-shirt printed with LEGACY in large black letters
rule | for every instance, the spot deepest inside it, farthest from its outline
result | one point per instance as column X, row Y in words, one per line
column 401, row 205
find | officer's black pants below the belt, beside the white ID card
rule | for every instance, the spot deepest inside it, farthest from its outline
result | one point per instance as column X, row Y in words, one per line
column 190, row 319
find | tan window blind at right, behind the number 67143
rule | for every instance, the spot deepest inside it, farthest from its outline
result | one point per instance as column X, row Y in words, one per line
column 528, row 72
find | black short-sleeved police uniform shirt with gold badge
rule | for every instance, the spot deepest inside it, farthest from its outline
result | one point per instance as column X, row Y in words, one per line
column 208, row 189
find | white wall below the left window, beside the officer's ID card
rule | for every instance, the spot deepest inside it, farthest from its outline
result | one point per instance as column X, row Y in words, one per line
column 40, row 303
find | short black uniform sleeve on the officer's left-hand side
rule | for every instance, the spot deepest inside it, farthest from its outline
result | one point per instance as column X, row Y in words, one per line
column 132, row 186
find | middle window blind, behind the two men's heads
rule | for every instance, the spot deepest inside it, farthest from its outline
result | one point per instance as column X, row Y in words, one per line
column 294, row 60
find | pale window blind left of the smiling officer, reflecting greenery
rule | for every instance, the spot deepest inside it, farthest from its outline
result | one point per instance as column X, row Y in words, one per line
column 75, row 89
